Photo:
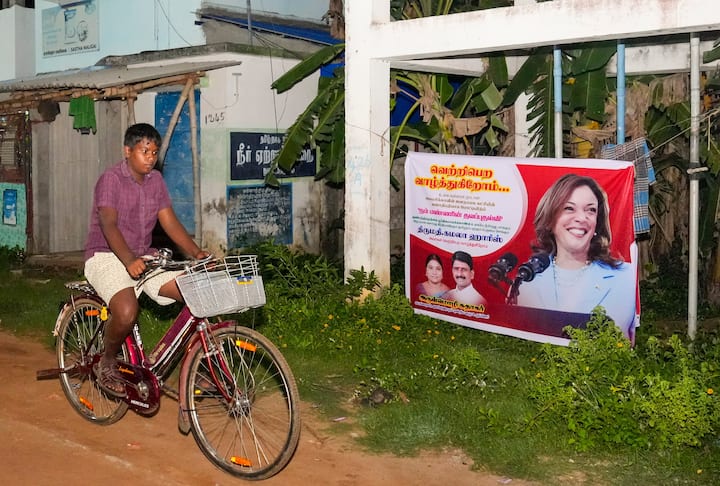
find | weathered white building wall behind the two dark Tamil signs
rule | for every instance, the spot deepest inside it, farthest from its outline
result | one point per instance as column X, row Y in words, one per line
column 239, row 99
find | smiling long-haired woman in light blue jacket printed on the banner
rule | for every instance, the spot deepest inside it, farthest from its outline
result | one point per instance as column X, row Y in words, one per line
column 572, row 226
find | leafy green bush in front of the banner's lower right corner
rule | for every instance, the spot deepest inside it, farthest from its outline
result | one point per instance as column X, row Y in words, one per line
column 607, row 393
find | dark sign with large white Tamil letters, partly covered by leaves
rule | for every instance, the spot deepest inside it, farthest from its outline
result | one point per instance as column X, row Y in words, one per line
column 251, row 154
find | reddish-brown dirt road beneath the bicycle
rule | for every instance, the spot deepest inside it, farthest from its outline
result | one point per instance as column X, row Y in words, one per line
column 44, row 442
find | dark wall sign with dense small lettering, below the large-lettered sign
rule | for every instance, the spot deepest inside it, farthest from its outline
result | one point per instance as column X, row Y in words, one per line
column 259, row 213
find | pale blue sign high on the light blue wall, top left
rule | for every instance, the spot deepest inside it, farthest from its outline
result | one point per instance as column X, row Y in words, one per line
column 70, row 29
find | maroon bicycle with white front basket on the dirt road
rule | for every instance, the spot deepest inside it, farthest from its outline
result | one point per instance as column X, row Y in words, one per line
column 236, row 392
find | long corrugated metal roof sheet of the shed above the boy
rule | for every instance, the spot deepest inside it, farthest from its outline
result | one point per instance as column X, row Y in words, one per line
column 101, row 77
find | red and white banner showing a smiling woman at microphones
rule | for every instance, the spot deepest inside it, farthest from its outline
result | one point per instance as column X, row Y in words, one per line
column 519, row 246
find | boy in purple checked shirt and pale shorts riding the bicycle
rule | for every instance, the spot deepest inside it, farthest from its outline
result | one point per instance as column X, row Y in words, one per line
column 130, row 197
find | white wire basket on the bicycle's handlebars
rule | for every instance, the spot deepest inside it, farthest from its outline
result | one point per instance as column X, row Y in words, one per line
column 222, row 286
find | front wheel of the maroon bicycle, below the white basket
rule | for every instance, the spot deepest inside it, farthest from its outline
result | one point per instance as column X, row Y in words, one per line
column 254, row 434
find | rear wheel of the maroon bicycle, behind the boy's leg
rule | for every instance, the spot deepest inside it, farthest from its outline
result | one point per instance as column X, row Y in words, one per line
column 76, row 355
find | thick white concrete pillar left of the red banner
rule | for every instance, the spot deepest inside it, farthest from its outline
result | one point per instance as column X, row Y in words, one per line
column 367, row 156
